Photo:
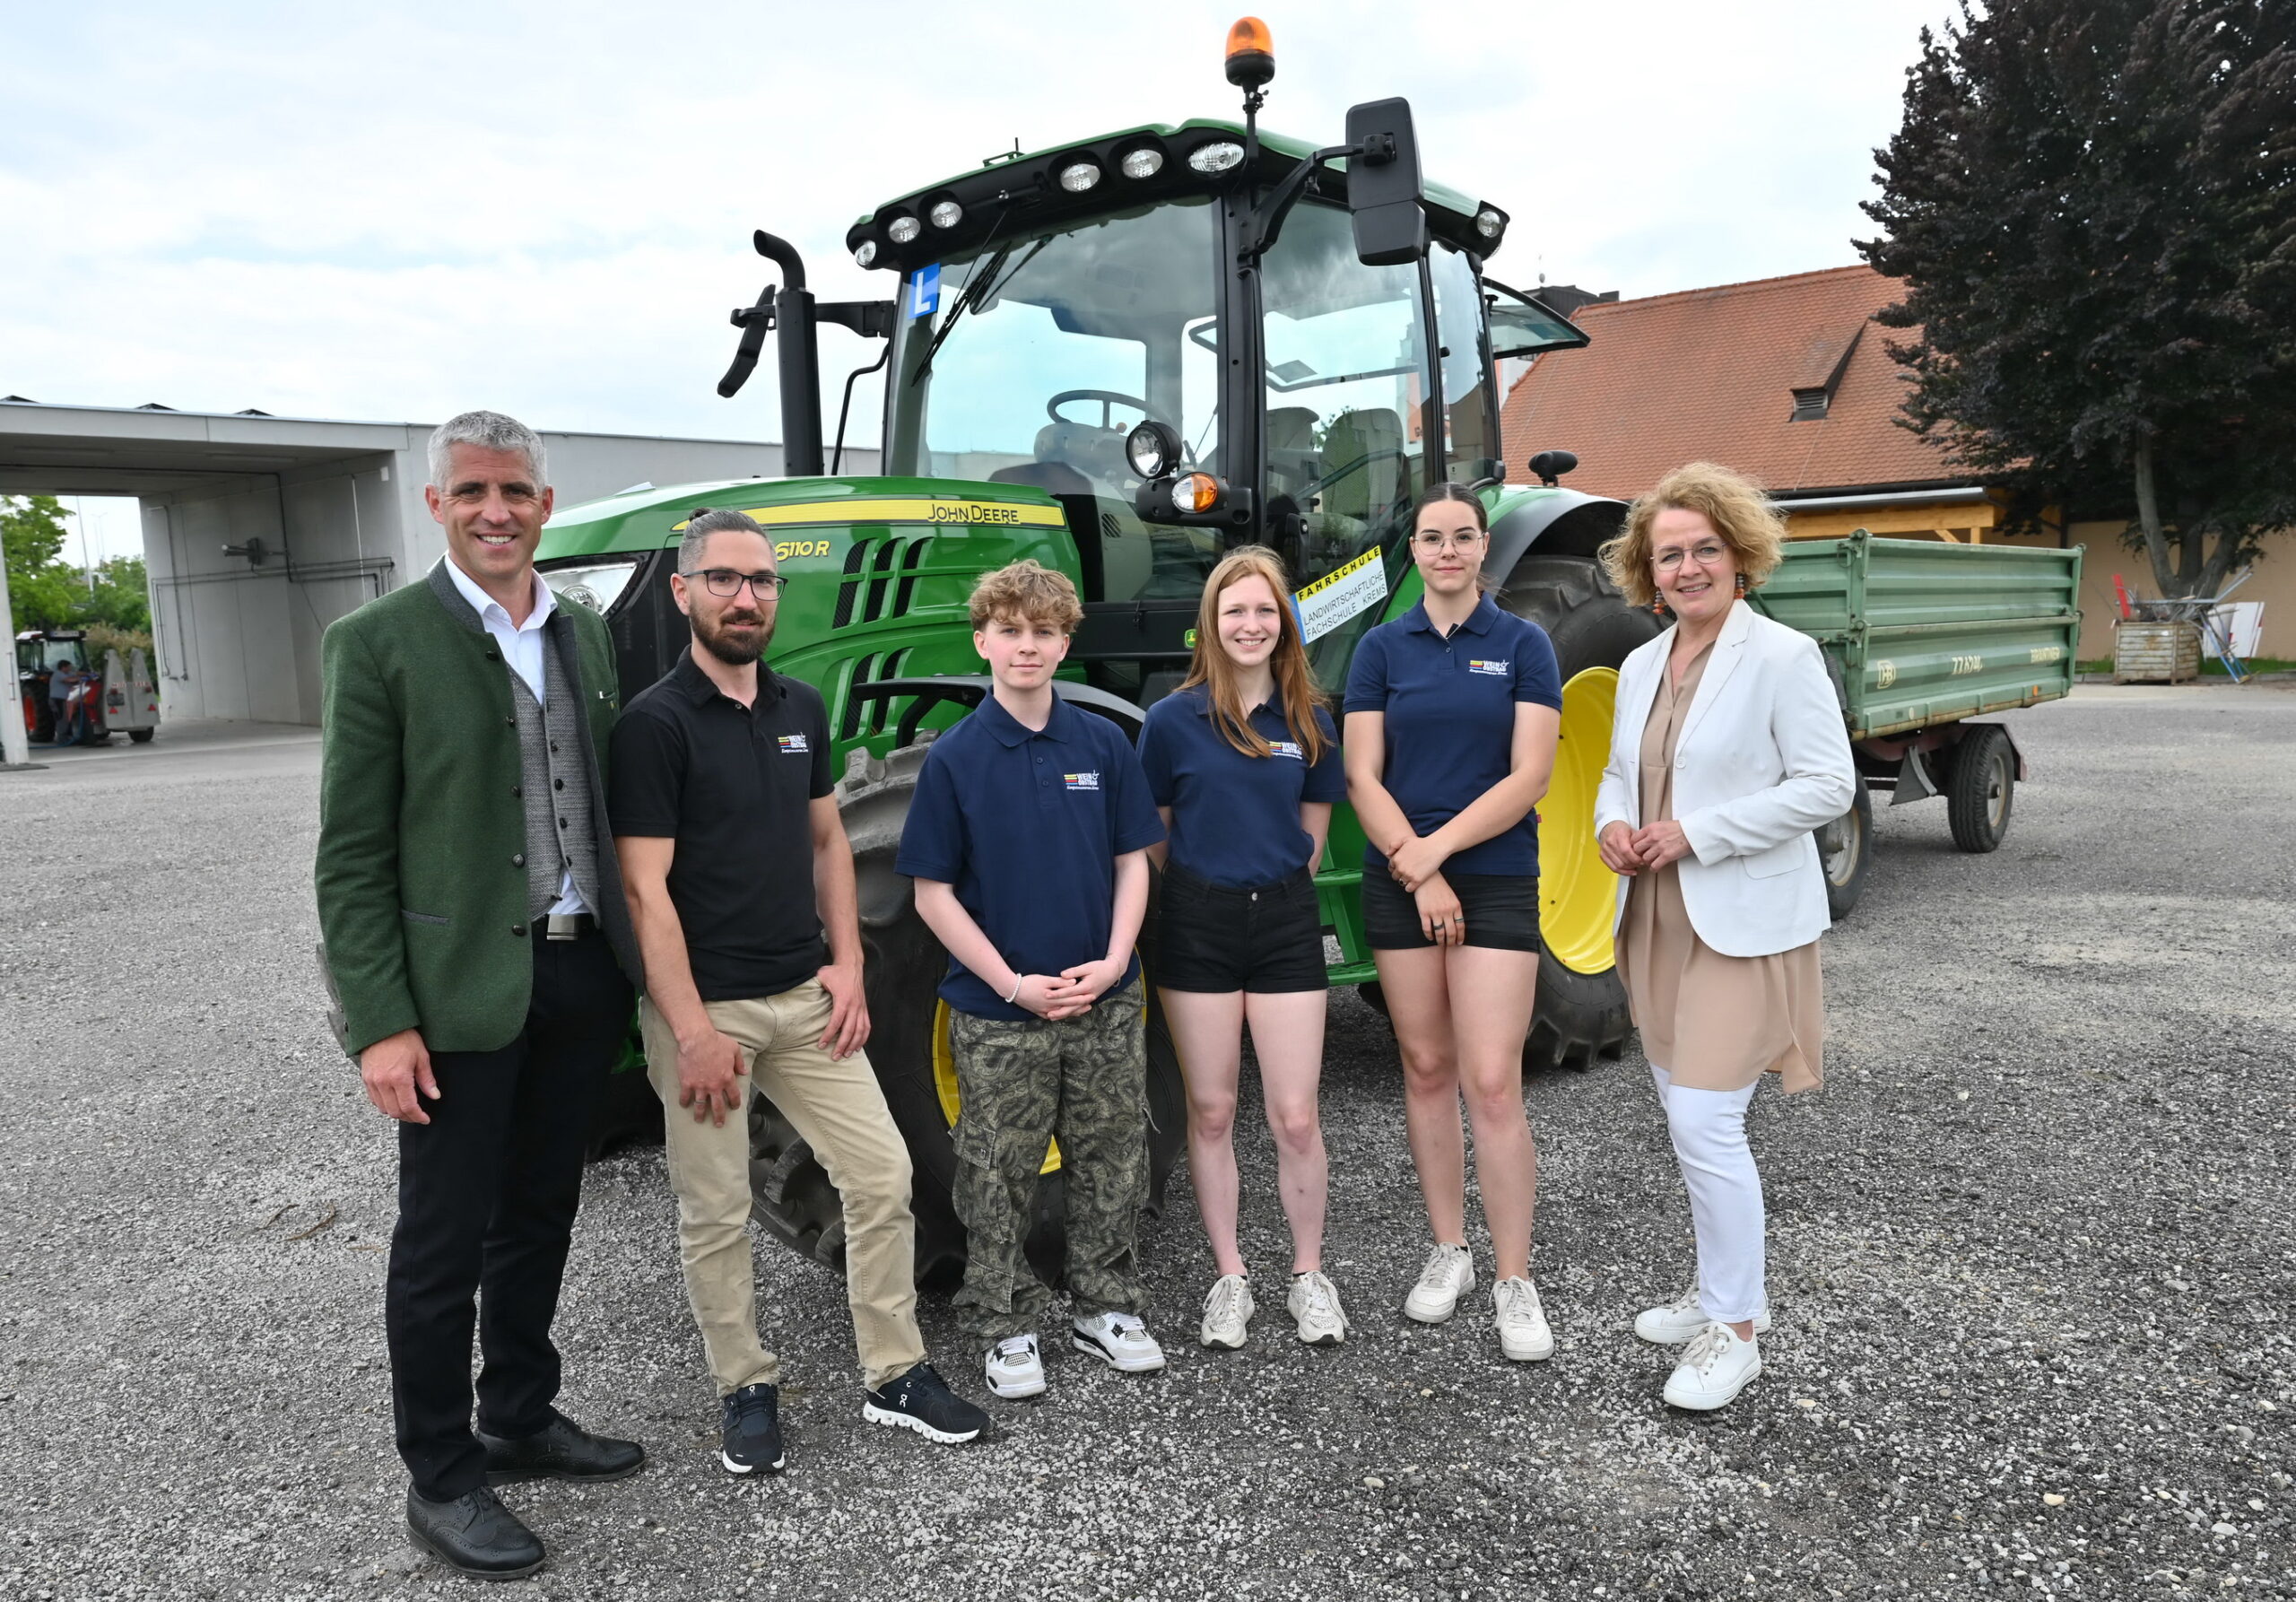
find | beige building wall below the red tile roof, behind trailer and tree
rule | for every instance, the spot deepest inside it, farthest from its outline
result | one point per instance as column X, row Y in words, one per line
column 1976, row 522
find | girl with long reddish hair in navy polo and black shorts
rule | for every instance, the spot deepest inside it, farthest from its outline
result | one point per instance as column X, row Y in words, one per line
column 1246, row 770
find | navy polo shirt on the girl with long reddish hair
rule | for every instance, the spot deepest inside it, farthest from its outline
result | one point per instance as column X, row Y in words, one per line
column 1236, row 818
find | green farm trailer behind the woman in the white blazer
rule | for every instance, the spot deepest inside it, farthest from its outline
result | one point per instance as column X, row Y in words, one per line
column 1921, row 637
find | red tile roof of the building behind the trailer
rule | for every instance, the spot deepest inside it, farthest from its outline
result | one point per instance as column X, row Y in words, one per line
column 1712, row 375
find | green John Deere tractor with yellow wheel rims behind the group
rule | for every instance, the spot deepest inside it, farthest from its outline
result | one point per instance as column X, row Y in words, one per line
column 1124, row 357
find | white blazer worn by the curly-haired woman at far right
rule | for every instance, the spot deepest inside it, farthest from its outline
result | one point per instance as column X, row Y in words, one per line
column 1762, row 759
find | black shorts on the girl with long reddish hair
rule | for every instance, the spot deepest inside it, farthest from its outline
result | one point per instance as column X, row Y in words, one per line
column 1220, row 940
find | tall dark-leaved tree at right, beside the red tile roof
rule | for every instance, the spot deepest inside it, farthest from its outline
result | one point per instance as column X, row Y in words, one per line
column 2093, row 208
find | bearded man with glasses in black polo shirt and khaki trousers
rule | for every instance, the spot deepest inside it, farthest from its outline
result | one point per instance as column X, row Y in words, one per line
column 734, row 860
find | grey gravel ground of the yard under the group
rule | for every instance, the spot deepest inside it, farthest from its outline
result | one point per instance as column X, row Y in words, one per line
column 2031, row 1261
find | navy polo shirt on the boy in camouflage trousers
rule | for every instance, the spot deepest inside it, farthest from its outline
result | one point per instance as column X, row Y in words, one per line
column 1027, row 827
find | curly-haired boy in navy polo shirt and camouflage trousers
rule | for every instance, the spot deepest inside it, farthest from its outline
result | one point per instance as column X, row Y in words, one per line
column 1030, row 841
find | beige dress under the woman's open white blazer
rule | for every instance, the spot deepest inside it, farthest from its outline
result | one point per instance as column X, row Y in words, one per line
column 1712, row 1022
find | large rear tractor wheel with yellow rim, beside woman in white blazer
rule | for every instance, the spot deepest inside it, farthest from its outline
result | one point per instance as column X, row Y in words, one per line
column 1581, row 1013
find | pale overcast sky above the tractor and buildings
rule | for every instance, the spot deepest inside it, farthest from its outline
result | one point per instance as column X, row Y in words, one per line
column 401, row 212
